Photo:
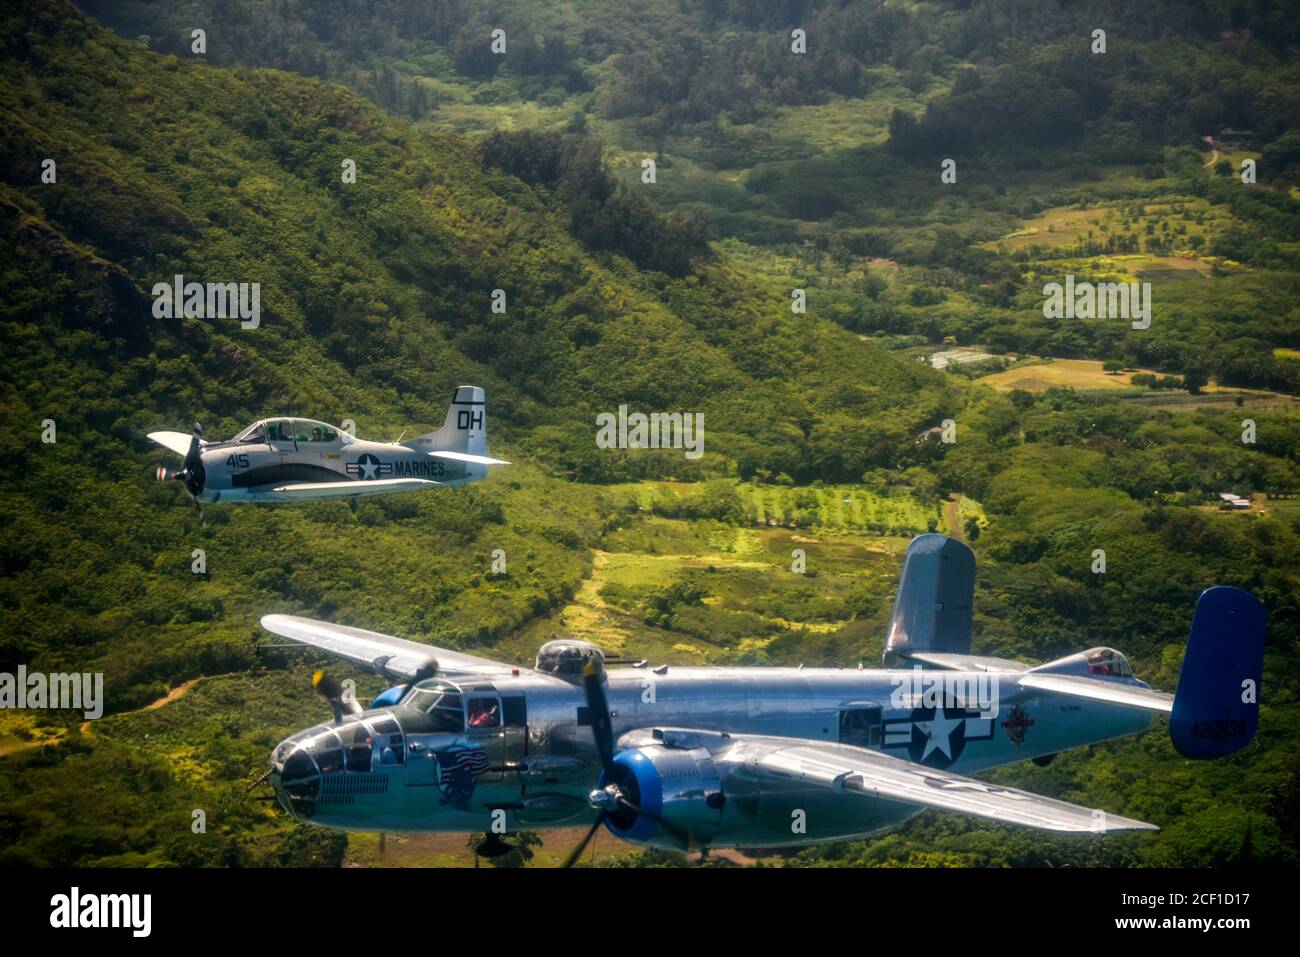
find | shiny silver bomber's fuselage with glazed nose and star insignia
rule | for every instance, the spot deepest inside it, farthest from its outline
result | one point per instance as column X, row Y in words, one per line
column 519, row 750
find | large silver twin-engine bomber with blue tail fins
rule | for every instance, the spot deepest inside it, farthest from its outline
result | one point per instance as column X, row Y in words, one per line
column 751, row 757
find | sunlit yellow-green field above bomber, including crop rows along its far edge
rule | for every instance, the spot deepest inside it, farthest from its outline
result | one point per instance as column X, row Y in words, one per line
column 747, row 601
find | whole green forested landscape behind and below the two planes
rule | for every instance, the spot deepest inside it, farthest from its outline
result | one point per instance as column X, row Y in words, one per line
column 522, row 176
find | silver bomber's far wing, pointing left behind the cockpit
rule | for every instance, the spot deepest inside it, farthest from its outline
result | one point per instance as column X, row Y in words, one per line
column 385, row 655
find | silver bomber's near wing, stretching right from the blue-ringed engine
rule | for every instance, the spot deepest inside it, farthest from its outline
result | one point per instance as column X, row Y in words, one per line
column 856, row 772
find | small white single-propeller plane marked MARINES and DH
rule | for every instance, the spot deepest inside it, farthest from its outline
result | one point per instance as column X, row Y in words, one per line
column 289, row 460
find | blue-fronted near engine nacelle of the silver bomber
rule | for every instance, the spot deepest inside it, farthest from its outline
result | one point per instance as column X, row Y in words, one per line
column 677, row 789
